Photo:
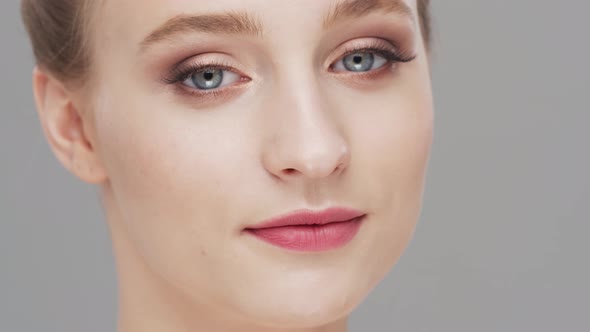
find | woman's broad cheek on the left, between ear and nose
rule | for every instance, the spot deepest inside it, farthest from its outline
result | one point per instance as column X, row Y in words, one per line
column 165, row 164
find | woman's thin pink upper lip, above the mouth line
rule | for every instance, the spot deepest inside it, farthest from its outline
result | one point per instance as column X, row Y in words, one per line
column 310, row 217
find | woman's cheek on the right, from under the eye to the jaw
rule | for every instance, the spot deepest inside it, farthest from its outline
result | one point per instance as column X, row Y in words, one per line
column 392, row 146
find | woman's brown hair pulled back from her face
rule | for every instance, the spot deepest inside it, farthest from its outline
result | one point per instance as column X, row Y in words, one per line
column 58, row 30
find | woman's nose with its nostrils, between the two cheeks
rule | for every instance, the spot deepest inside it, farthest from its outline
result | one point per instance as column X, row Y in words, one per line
column 303, row 139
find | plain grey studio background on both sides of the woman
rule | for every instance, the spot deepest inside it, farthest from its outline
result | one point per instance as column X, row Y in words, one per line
column 502, row 244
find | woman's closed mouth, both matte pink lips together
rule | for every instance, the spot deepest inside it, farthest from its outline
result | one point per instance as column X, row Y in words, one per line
column 310, row 231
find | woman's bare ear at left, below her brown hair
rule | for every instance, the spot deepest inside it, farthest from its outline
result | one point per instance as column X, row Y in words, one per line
column 63, row 126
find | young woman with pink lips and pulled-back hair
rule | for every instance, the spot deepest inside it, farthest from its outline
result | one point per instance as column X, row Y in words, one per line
column 261, row 163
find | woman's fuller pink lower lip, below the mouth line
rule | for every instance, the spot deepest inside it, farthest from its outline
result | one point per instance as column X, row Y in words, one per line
column 310, row 238
